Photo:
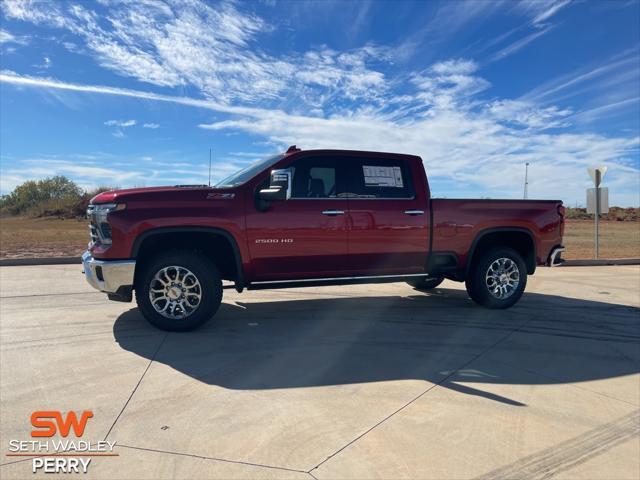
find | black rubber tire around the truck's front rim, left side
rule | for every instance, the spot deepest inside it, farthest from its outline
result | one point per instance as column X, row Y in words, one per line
column 209, row 288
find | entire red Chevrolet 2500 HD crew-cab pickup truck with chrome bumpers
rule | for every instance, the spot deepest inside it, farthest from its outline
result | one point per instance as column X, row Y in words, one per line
column 312, row 217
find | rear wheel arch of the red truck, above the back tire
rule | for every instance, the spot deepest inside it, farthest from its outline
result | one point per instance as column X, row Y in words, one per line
column 519, row 238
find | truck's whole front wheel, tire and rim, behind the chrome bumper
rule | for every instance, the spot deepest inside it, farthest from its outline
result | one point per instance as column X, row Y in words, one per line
column 179, row 290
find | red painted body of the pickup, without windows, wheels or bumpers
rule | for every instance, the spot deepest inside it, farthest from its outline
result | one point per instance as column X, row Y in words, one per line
column 293, row 239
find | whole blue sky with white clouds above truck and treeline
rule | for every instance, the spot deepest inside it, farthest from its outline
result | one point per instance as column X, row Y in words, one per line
column 135, row 93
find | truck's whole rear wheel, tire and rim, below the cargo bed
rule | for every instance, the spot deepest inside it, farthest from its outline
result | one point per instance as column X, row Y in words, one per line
column 497, row 279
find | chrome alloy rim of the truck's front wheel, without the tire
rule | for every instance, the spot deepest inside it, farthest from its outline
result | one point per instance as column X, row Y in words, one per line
column 175, row 292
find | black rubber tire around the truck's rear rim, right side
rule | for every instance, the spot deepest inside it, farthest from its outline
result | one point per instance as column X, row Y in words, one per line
column 478, row 287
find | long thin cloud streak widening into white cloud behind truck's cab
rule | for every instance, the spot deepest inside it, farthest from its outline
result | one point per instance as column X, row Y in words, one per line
column 459, row 138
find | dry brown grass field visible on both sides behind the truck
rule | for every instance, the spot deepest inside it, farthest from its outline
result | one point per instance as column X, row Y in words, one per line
column 44, row 237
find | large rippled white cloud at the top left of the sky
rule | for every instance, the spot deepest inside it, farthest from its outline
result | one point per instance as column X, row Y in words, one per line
column 212, row 48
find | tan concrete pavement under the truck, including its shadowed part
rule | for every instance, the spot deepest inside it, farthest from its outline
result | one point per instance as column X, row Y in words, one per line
column 367, row 381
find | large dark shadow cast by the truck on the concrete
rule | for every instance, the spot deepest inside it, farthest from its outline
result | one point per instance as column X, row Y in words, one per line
column 441, row 337
